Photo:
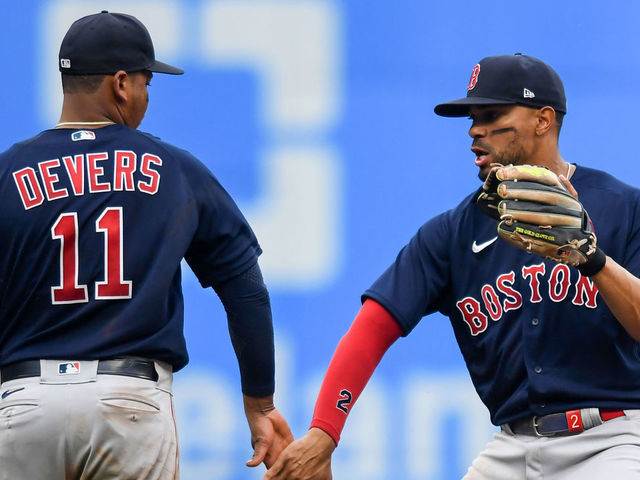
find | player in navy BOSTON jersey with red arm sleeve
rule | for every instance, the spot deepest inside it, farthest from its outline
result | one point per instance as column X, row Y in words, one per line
column 552, row 349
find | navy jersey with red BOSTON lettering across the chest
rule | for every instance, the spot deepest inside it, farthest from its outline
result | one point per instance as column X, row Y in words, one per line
column 535, row 335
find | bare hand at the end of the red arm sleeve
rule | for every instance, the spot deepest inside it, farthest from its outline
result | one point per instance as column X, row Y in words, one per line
column 308, row 458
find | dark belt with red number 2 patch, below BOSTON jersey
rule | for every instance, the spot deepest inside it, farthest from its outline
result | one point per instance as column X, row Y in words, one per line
column 557, row 424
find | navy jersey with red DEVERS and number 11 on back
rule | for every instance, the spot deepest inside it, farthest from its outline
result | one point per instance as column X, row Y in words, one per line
column 93, row 227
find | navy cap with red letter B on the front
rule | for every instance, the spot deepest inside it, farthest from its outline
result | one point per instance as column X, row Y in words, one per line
column 509, row 79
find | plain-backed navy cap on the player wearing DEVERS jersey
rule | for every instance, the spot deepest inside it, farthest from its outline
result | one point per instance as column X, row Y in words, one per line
column 105, row 43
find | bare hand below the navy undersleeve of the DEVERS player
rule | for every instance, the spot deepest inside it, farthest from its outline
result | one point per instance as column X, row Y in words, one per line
column 270, row 433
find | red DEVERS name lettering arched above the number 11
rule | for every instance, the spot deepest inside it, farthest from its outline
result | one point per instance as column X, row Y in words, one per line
column 36, row 186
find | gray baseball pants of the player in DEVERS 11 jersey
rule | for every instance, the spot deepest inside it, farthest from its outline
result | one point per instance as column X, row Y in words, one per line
column 88, row 426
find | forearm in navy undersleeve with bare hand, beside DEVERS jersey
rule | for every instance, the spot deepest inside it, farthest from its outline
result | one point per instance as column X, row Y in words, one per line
column 246, row 301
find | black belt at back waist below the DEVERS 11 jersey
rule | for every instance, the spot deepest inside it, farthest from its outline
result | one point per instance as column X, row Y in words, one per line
column 128, row 367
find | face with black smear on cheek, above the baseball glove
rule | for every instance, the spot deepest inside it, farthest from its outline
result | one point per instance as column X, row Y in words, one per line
column 502, row 134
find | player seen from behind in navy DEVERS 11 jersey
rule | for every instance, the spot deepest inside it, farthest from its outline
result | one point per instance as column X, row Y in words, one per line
column 96, row 217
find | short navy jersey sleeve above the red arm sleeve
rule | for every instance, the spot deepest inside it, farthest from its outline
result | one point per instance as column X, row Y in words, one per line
column 415, row 284
